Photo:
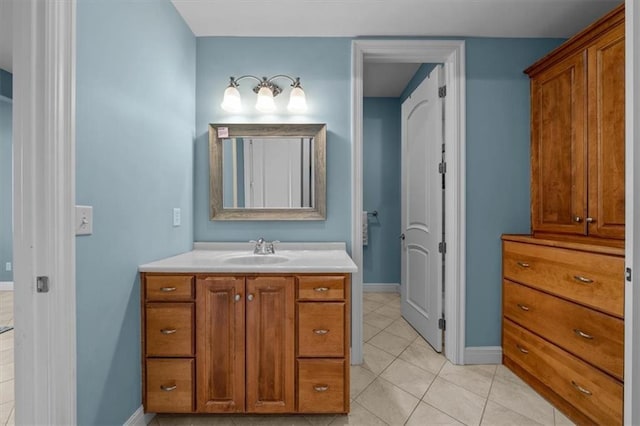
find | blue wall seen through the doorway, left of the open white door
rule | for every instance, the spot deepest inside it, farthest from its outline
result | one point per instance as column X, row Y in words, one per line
column 381, row 189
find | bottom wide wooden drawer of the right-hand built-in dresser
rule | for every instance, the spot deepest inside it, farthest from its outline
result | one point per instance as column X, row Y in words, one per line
column 594, row 393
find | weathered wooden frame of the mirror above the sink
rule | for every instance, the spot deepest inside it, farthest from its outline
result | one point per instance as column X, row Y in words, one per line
column 319, row 134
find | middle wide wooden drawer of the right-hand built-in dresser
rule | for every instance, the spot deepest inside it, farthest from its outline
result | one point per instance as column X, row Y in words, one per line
column 593, row 336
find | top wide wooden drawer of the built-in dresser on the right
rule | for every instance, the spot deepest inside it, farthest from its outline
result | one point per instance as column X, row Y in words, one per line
column 595, row 280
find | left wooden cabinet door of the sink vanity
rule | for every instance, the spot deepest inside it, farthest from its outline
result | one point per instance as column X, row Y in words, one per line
column 220, row 344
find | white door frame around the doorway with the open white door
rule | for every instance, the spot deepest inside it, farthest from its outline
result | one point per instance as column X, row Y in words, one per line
column 451, row 53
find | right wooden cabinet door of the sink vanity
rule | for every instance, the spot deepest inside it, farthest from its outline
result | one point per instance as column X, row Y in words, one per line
column 270, row 344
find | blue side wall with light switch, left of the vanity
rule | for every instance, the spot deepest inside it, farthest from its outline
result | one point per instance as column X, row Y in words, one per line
column 135, row 130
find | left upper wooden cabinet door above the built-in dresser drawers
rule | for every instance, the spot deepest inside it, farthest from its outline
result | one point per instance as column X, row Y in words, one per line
column 558, row 148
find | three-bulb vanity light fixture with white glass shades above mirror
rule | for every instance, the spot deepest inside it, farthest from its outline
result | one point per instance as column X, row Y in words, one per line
column 266, row 90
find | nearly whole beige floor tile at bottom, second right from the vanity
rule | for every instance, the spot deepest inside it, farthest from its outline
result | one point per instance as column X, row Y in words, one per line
column 459, row 403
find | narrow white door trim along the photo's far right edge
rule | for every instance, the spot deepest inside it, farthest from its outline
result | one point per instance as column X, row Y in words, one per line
column 632, row 237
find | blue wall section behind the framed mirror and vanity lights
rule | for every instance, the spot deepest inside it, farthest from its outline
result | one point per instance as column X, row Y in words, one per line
column 324, row 65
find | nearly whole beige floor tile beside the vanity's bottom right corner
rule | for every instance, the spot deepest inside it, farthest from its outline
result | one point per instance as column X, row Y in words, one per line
column 388, row 402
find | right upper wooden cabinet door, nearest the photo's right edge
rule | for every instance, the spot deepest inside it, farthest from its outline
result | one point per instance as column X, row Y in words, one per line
column 606, row 135
